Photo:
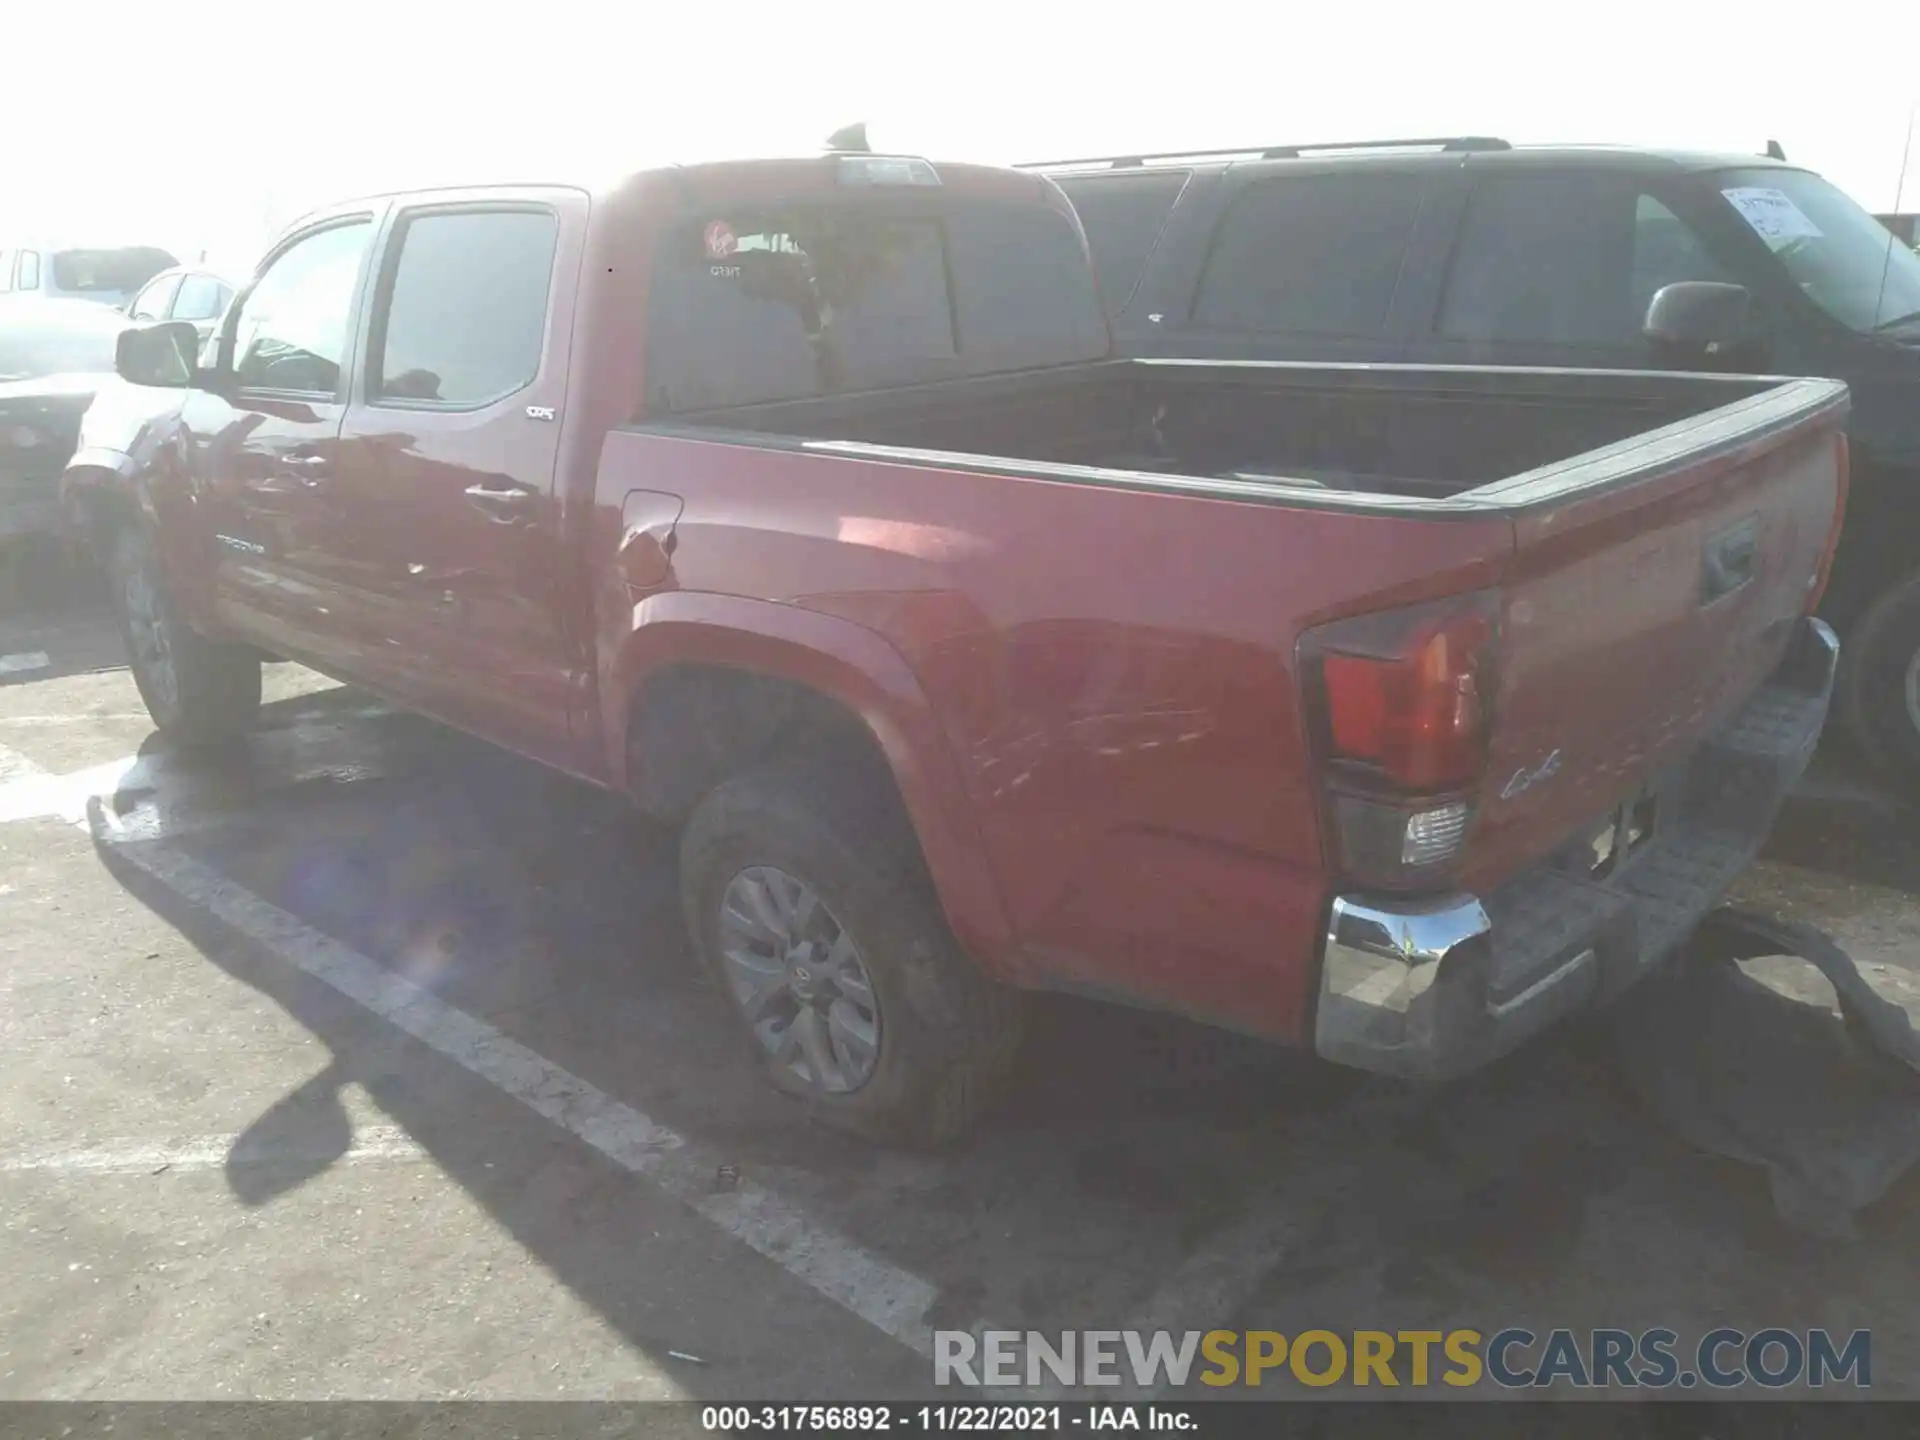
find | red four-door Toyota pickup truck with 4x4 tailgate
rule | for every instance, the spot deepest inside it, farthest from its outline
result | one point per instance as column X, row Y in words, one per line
column 1383, row 709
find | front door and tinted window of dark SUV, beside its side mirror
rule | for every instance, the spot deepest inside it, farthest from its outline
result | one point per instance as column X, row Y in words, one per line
column 1558, row 266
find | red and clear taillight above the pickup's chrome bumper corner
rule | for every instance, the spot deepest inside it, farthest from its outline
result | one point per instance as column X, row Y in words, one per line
column 1401, row 709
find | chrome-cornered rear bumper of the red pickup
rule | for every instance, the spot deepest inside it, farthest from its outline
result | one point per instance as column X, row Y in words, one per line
column 1441, row 986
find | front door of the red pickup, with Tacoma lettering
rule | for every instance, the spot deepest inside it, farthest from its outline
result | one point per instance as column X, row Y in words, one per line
column 270, row 446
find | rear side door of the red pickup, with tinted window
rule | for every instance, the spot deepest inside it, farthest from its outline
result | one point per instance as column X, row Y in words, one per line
column 448, row 512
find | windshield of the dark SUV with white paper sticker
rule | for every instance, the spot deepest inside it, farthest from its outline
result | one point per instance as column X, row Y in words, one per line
column 1842, row 258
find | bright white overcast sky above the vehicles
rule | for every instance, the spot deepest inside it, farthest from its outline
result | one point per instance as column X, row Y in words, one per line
column 206, row 126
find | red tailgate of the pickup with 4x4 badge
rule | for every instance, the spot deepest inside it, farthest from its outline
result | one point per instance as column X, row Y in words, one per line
column 1646, row 604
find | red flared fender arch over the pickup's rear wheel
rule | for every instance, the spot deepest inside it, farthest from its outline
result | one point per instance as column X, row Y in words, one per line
column 857, row 669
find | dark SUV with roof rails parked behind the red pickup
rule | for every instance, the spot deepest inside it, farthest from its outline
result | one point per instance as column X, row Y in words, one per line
column 1477, row 252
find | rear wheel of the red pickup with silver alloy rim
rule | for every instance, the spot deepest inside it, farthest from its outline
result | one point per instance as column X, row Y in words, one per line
column 811, row 909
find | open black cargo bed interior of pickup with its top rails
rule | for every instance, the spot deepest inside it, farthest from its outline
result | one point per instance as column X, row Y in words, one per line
column 1318, row 435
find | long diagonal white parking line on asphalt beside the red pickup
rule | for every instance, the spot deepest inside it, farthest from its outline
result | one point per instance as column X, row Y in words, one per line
column 880, row 1293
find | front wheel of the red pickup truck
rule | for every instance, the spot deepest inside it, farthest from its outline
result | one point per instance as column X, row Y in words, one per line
column 201, row 692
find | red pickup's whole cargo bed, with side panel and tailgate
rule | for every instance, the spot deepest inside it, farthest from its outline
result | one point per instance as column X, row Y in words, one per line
column 1105, row 581
